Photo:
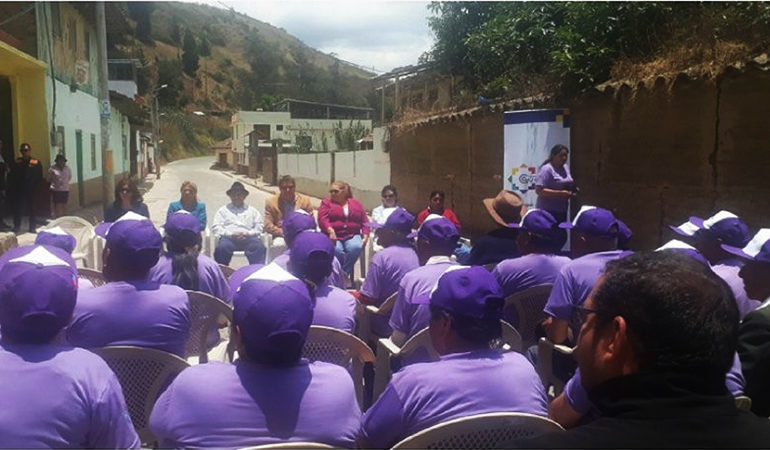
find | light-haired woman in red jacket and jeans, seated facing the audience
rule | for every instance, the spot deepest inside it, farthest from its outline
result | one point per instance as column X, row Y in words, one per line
column 342, row 218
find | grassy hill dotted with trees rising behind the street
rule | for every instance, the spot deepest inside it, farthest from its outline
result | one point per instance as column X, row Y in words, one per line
column 242, row 63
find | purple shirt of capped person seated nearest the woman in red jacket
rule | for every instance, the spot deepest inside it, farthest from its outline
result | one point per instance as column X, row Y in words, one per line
column 386, row 270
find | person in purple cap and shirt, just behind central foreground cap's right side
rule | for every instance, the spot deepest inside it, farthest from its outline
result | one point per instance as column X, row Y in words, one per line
column 311, row 260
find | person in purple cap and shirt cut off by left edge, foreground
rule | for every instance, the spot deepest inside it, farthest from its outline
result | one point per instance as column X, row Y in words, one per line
column 52, row 396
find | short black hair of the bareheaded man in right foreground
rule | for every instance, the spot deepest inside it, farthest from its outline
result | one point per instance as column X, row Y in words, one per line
column 679, row 314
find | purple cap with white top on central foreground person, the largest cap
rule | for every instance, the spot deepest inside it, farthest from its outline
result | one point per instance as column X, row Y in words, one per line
column 273, row 308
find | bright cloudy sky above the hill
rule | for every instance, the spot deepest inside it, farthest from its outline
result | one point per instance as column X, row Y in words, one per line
column 370, row 33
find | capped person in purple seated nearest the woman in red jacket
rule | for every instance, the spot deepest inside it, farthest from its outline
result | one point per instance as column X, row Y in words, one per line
column 389, row 265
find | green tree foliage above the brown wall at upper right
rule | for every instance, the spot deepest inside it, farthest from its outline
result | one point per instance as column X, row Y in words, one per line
column 499, row 46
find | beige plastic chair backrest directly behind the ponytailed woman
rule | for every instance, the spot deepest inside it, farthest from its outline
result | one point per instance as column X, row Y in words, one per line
column 205, row 312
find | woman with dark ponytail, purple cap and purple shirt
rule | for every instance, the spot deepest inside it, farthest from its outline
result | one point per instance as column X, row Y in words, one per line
column 183, row 265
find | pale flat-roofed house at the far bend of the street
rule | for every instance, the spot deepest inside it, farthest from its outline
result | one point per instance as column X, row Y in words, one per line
column 295, row 126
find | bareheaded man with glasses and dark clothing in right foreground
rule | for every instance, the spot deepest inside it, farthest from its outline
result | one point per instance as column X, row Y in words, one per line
column 656, row 342
